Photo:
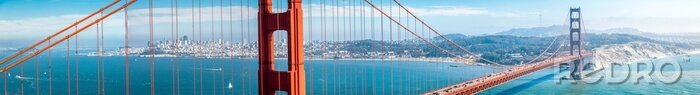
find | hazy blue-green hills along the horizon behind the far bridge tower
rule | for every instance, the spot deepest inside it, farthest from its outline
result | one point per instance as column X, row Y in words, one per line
column 492, row 47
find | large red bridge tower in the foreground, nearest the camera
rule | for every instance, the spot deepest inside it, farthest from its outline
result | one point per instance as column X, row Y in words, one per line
column 270, row 80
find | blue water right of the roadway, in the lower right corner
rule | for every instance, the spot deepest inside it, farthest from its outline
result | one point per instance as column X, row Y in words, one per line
column 545, row 83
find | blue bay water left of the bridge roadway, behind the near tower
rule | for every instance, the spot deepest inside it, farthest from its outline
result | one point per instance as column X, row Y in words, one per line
column 329, row 77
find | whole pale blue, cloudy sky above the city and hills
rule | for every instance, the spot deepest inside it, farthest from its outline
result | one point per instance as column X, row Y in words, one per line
column 26, row 21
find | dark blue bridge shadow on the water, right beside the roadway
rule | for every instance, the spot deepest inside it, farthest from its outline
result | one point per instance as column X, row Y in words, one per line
column 524, row 86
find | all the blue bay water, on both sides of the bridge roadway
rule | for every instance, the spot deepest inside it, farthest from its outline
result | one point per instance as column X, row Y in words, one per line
column 326, row 77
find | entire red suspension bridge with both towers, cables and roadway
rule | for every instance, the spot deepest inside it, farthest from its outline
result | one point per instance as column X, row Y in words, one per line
column 281, row 21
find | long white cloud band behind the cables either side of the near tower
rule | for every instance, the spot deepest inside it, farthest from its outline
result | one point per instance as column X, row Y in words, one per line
column 164, row 15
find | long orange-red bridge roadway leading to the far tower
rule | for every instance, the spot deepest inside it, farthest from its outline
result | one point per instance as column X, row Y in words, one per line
column 492, row 80
